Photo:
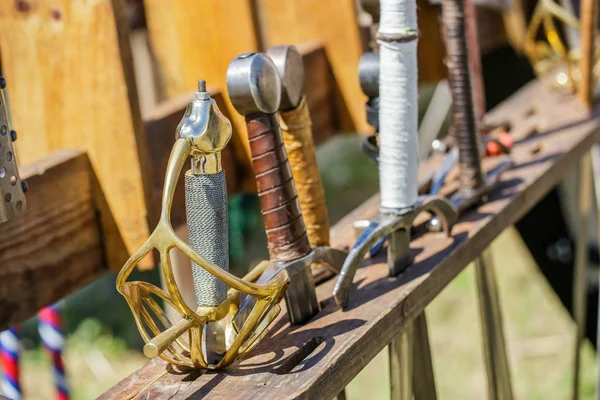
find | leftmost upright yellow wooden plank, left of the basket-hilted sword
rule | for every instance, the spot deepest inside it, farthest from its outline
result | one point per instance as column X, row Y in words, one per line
column 71, row 85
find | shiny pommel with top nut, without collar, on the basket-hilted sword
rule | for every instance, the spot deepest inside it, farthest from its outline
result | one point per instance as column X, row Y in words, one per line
column 204, row 124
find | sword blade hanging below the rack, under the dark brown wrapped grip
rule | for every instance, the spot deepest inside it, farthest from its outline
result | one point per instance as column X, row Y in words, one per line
column 496, row 362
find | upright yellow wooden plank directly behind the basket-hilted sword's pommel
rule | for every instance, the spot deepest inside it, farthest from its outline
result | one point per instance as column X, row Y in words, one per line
column 197, row 40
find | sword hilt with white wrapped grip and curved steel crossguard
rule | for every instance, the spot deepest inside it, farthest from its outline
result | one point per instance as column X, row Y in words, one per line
column 398, row 154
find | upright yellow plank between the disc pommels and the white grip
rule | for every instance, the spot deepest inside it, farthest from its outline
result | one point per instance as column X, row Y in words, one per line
column 333, row 23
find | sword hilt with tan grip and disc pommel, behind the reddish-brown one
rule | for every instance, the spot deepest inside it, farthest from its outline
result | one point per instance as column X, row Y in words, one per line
column 296, row 129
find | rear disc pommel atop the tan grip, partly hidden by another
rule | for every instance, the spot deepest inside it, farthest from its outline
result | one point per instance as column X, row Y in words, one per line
column 289, row 63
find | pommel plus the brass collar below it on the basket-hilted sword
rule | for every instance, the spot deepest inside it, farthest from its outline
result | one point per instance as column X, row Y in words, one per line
column 207, row 129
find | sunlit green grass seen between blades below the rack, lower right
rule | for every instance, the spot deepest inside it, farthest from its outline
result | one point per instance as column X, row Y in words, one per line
column 539, row 335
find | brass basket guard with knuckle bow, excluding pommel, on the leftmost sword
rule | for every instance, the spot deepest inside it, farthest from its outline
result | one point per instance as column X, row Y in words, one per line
column 165, row 339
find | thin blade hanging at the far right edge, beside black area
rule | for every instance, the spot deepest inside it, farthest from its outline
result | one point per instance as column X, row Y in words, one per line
column 580, row 272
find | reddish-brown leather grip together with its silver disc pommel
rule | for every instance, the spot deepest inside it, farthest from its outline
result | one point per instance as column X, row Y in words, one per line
column 254, row 88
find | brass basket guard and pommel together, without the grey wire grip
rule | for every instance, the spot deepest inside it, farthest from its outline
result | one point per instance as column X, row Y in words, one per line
column 203, row 139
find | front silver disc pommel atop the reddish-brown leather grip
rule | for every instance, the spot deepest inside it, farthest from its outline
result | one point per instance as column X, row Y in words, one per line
column 253, row 84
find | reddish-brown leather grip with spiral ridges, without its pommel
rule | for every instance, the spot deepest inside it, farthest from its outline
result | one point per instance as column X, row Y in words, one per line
column 286, row 233
